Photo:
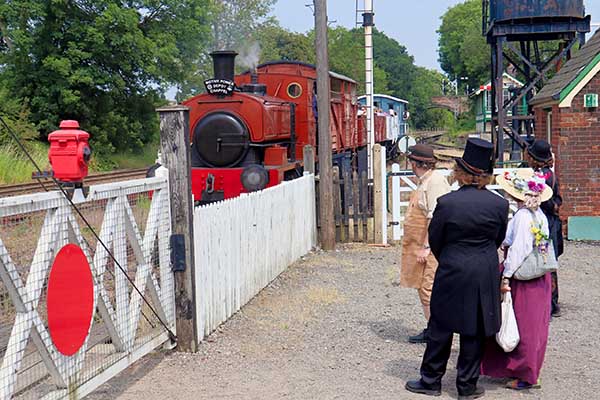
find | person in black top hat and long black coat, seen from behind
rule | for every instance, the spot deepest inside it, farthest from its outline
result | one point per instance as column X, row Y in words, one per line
column 465, row 232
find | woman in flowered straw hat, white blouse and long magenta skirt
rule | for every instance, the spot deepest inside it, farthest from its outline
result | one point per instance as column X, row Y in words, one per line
column 531, row 298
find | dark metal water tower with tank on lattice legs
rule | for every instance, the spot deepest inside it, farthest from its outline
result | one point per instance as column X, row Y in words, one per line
column 533, row 37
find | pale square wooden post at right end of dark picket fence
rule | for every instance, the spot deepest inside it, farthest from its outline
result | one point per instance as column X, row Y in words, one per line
column 379, row 194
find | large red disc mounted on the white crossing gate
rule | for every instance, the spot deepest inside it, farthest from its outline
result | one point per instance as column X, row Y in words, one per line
column 70, row 299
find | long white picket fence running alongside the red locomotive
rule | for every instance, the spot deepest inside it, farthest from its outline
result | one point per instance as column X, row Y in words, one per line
column 242, row 244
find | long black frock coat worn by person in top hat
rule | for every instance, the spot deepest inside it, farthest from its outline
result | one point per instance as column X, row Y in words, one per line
column 467, row 228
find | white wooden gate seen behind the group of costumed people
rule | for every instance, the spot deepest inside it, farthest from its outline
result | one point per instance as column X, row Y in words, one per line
column 404, row 182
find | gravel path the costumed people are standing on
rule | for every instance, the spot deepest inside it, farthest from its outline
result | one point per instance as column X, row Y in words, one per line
column 334, row 326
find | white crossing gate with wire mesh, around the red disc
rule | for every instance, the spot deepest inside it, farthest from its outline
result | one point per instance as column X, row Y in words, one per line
column 133, row 220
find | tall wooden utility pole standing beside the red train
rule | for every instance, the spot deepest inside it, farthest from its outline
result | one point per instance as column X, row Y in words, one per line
column 323, row 109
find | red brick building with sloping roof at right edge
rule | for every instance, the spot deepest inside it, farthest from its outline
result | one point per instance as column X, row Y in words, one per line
column 568, row 116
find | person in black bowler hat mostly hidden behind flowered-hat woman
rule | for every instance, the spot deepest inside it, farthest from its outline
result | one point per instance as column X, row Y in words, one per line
column 539, row 157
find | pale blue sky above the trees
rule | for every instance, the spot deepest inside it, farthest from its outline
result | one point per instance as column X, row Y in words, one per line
column 413, row 23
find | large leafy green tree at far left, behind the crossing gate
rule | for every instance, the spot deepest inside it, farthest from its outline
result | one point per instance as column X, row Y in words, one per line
column 102, row 63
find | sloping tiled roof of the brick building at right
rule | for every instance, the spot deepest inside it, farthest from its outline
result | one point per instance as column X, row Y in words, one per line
column 569, row 72
